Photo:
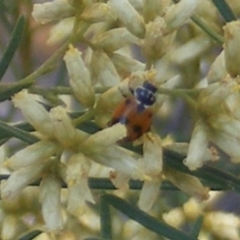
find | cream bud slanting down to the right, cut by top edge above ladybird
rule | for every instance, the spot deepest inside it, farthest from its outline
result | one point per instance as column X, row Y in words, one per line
column 129, row 17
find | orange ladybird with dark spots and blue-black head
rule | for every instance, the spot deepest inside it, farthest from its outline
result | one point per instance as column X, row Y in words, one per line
column 134, row 112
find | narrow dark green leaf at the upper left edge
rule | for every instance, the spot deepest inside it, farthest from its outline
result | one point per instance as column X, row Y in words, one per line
column 12, row 46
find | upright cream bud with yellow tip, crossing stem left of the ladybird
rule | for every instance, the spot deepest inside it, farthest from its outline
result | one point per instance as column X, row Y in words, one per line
column 79, row 77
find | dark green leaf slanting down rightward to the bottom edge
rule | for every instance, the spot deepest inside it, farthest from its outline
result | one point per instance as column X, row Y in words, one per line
column 146, row 220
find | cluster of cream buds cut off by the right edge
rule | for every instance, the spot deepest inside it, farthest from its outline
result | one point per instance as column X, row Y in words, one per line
column 217, row 104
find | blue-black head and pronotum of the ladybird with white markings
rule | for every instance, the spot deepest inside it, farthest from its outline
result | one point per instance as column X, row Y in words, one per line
column 145, row 94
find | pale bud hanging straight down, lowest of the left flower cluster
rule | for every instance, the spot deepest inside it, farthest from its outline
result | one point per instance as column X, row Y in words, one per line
column 50, row 189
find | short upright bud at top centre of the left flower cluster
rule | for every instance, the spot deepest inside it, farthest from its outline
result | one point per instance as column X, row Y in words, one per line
column 64, row 131
